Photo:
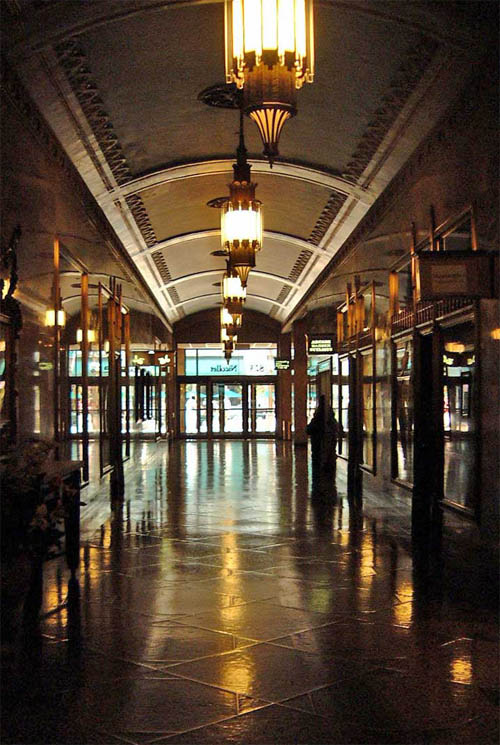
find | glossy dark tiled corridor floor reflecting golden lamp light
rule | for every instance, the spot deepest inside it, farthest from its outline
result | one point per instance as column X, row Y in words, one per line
column 232, row 600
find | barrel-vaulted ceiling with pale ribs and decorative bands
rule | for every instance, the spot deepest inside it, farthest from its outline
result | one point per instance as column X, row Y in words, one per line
column 118, row 83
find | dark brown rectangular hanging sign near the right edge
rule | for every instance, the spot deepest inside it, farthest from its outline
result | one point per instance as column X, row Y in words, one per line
column 454, row 274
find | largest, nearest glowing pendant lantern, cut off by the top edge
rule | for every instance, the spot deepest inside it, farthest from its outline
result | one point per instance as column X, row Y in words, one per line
column 269, row 55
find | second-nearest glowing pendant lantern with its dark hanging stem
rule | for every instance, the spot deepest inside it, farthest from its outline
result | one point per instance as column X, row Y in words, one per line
column 241, row 217
